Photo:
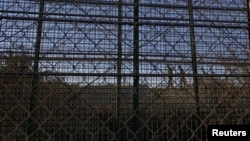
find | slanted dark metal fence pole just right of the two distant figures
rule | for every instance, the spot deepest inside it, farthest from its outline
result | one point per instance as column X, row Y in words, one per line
column 194, row 62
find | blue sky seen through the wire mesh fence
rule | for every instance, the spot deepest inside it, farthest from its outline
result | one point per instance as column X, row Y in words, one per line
column 81, row 37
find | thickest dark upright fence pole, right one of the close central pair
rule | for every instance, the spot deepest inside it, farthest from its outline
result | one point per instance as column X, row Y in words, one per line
column 136, row 70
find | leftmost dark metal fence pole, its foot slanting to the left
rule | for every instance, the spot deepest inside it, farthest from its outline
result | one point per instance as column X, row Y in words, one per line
column 35, row 67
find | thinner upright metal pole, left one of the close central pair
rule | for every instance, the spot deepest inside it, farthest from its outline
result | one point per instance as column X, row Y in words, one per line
column 119, row 66
